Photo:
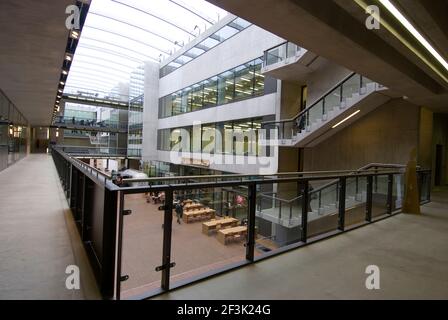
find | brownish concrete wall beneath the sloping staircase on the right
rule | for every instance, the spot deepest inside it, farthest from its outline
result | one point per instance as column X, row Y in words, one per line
column 385, row 135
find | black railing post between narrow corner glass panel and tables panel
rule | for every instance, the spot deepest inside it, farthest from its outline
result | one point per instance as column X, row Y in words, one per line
column 167, row 233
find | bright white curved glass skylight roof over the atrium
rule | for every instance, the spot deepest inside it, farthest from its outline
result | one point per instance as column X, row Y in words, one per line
column 119, row 35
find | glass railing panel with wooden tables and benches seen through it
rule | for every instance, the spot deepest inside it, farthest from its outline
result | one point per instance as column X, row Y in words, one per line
column 209, row 231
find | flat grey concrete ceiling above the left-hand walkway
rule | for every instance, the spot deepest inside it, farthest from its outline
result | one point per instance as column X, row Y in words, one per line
column 33, row 39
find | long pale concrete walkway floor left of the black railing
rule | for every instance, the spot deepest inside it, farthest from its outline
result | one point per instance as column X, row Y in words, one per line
column 38, row 239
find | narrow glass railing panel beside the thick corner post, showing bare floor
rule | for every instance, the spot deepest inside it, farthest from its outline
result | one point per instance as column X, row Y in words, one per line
column 142, row 243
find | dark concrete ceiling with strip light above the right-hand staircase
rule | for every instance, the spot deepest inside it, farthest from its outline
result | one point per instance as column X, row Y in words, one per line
column 335, row 29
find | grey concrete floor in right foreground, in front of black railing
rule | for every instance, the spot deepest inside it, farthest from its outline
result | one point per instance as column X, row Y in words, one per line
column 411, row 252
